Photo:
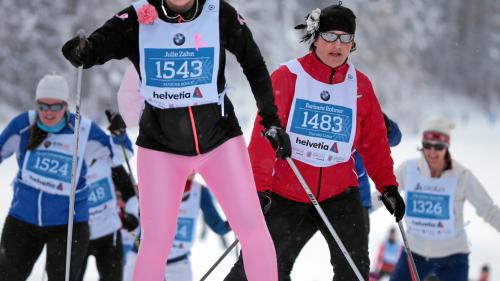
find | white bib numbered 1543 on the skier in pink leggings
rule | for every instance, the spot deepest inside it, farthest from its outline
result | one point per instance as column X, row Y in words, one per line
column 179, row 63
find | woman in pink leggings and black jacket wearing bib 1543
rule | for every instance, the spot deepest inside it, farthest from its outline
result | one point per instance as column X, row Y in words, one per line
column 187, row 123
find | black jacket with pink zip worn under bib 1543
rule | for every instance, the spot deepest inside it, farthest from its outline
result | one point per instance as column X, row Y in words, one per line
column 171, row 130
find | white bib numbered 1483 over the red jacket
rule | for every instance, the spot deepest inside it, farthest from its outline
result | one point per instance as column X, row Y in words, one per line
column 322, row 120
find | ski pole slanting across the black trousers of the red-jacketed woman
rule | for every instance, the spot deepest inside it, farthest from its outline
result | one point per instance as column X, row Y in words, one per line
column 322, row 214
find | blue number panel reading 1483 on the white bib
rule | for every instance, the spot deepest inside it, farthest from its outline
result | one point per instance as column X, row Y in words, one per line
column 320, row 120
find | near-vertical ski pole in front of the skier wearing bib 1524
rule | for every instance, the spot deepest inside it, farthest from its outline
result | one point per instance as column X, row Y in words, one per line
column 74, row 180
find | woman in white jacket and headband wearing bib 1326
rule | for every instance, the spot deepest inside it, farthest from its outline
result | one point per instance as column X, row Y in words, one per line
column 436, row 188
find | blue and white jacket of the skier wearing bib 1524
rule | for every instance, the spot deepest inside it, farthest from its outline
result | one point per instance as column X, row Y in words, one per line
column 30, row 203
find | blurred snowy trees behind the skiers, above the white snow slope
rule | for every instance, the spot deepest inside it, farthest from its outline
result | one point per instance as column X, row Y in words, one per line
column 417, row 52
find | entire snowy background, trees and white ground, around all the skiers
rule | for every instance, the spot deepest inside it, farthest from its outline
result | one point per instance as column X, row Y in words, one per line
column 425, row 58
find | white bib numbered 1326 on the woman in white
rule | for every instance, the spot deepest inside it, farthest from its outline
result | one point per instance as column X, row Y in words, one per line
column 429, row 204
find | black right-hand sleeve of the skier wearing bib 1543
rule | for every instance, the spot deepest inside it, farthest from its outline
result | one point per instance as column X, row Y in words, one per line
column 237, row 38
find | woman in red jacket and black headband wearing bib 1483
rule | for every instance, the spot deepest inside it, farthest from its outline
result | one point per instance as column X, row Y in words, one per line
column 331, row 111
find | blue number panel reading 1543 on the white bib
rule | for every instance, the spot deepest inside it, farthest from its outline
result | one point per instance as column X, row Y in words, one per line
column 177, row 68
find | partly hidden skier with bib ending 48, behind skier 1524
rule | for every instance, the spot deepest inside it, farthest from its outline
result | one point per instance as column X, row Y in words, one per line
column 104, row 221
